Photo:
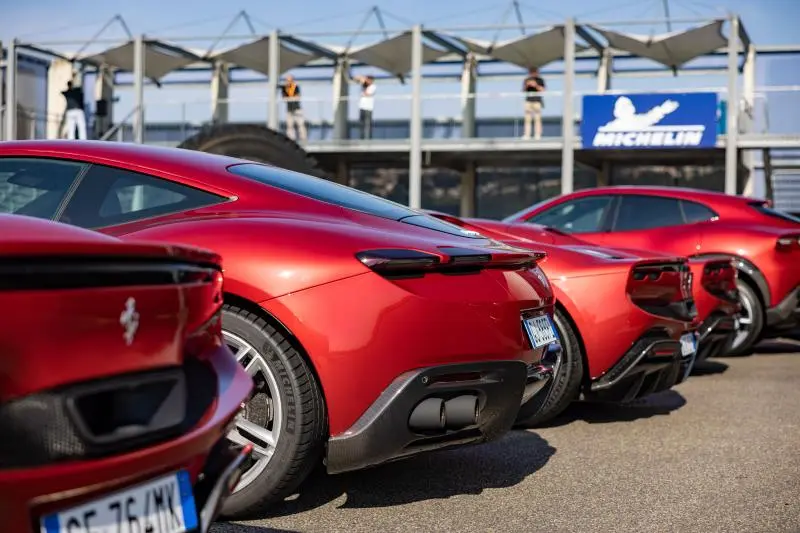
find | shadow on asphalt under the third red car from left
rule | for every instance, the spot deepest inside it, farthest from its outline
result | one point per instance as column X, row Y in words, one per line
column 660, row 404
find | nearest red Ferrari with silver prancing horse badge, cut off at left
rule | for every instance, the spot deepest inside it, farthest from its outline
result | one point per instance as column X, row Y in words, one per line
column 117, row 391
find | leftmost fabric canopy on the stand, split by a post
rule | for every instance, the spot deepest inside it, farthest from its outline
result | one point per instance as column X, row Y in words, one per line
column 160, row 58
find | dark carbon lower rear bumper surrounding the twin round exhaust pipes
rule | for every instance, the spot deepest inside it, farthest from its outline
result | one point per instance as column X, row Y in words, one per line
column 384, row 433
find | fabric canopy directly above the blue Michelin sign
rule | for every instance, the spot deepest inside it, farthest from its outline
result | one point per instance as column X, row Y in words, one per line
column 670, row 49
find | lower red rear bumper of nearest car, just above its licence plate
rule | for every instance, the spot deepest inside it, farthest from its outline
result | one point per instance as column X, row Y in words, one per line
column 29, row 493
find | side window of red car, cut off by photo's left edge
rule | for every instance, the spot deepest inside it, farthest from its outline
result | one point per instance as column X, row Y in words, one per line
column 35, row 187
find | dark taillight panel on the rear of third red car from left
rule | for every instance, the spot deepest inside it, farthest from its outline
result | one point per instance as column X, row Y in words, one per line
column 663, row 289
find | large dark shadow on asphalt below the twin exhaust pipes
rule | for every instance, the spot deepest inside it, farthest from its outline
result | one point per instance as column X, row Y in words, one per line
column 436, row 475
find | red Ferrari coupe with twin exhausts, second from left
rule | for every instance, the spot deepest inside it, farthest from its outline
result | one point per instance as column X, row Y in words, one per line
column 372, row 331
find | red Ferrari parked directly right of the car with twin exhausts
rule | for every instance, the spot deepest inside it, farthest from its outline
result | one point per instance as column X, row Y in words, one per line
column 626, row 324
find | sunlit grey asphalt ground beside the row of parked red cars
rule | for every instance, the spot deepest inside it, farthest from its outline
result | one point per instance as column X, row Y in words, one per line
column 720, row 453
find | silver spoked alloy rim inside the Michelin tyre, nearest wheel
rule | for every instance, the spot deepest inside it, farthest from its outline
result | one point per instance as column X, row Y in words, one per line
column 264, row 438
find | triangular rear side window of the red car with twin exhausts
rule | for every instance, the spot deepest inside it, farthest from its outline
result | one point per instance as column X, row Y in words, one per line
column 108, row 196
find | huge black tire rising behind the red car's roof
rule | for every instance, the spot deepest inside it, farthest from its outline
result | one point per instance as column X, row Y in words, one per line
column 254, row 143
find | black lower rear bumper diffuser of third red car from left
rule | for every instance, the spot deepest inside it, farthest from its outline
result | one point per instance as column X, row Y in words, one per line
column 654, row 363
